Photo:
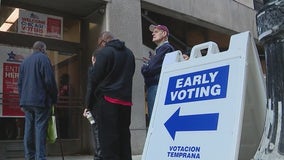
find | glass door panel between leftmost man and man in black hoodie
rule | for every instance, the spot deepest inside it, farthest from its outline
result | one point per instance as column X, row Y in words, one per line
column 69, row 107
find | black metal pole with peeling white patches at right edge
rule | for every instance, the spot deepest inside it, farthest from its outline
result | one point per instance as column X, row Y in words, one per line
column 270, row 28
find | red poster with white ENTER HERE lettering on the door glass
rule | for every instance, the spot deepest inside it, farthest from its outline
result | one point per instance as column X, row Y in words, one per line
column 10, row 59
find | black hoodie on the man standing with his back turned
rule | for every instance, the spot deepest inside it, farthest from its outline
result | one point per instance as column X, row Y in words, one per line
column 113, row 73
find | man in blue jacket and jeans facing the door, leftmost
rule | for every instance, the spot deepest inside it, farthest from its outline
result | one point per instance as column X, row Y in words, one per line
column 38, row 92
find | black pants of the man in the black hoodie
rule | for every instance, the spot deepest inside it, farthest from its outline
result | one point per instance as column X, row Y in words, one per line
column 114, row 134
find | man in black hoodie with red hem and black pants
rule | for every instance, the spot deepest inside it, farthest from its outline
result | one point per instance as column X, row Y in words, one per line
column 112, row 83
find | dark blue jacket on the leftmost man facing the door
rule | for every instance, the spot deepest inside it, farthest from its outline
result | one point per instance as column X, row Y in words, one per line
column 36, row 83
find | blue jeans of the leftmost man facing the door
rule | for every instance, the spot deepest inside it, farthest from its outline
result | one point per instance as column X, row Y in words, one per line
column 36, row 122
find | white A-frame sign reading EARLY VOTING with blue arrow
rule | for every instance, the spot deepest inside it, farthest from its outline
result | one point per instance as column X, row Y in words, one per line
column 200, row 104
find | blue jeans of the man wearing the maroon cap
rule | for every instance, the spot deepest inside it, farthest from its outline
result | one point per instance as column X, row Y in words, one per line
column 151, row 96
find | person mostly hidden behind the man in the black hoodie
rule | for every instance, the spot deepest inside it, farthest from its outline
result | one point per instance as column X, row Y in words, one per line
column 94, row 126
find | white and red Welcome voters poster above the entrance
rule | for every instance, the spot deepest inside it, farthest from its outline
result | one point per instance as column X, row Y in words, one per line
column 38, row 24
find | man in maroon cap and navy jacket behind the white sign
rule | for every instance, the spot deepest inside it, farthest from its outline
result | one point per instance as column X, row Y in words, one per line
column 152, row 66
